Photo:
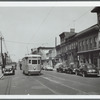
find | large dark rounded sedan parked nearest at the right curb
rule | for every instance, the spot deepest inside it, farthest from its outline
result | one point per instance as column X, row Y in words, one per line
column 87, row 69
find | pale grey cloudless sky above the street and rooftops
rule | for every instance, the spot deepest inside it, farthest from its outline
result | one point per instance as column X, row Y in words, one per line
column 24, row 28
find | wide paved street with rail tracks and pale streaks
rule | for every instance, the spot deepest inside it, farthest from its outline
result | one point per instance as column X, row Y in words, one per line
column 49, row 83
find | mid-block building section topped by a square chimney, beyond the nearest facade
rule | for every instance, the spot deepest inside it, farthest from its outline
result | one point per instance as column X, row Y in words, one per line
column 66, row 51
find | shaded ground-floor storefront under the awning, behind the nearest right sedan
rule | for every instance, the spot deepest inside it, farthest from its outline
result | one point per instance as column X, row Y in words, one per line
column 90, row 56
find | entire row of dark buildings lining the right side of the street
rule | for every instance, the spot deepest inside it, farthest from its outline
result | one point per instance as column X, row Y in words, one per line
column 83, row 46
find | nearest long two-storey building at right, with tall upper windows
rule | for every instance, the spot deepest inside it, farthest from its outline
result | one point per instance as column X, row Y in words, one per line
column 88, row 51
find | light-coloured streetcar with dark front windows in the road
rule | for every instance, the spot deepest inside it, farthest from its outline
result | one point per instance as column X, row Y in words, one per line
column 31, row 64
